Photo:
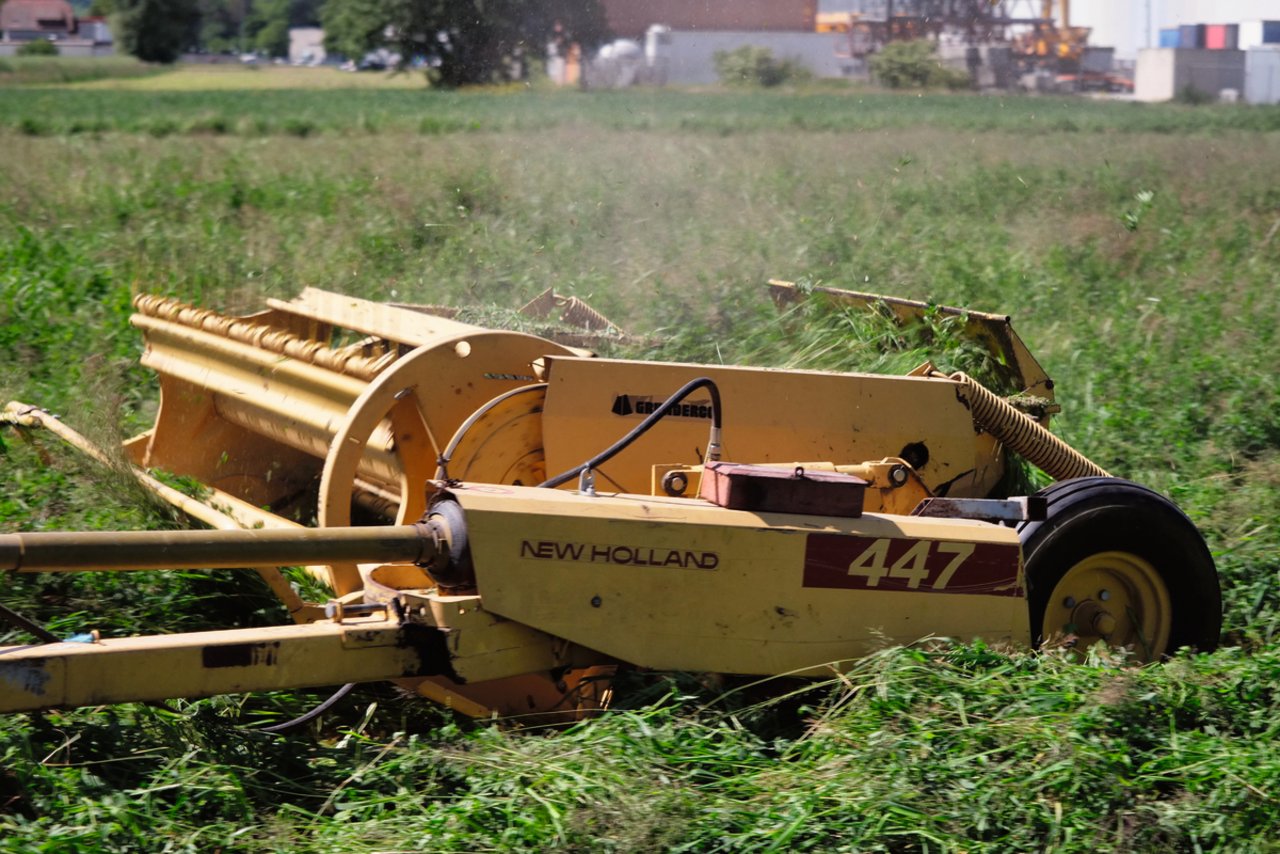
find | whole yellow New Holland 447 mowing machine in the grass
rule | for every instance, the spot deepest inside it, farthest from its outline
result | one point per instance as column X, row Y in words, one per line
column 502, row 520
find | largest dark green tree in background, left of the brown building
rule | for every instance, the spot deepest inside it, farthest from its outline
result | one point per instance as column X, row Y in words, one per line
column 464, row 42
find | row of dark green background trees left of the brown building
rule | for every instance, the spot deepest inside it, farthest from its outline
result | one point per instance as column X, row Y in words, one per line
column 456, row 42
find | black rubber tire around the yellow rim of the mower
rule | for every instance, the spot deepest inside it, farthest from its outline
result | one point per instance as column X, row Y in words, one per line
column 1092, row 515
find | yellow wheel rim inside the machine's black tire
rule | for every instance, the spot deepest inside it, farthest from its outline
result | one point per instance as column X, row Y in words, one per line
column 1116, row 597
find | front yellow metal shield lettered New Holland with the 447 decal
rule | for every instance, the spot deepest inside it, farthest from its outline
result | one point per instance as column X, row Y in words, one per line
column 678, row 584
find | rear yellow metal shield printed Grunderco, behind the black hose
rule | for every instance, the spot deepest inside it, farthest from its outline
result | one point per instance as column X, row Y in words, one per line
column 771, row 417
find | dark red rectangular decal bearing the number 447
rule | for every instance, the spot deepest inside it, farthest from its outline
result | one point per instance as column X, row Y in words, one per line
column 915, row 567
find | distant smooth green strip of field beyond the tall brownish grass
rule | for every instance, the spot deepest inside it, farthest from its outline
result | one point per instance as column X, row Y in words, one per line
column 193, row 102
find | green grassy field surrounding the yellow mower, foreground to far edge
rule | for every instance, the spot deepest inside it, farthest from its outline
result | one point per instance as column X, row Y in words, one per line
column 1136, row 246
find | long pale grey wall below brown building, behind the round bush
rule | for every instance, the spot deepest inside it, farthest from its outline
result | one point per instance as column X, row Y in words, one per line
column 691, row 57
